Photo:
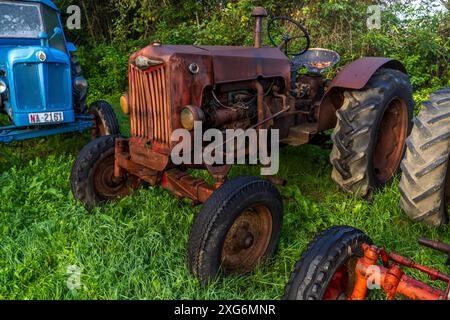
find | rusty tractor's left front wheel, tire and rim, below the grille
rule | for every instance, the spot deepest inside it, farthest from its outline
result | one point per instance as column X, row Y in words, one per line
column 92, row 178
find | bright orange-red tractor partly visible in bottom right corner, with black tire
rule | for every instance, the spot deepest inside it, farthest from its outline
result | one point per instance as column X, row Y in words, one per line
column 342, row 264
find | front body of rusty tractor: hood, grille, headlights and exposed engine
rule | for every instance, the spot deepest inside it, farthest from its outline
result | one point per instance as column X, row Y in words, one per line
column 171, row 87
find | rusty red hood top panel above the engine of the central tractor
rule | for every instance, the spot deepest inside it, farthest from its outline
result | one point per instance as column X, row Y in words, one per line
column 227, row 64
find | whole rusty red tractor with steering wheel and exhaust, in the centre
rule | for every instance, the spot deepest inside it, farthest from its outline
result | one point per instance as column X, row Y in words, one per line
column 369, row 105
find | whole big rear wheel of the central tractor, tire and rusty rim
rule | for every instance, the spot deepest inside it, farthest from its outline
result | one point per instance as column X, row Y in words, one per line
column 369, row 139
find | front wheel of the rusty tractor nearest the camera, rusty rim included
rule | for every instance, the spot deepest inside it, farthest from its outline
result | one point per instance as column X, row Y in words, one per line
column 238, row 227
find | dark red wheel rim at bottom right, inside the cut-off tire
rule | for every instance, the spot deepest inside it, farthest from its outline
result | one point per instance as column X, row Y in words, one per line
column 342, row 282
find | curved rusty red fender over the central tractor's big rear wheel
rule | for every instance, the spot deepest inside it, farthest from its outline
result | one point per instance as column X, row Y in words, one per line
column 354, row 76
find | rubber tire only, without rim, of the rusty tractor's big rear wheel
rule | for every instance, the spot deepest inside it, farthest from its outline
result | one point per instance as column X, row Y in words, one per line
column 356, row 134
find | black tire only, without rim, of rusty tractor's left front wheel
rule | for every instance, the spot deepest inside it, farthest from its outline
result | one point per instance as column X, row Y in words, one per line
column 84, row 168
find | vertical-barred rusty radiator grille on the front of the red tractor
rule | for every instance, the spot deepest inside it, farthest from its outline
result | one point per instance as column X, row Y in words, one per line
column 149, row 104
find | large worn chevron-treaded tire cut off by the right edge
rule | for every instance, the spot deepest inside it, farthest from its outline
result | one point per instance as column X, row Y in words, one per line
column 425, row 168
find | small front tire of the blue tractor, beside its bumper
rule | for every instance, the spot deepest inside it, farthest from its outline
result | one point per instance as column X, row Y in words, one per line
column 107, row 124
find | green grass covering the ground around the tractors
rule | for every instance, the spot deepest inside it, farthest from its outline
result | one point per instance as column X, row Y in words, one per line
column 135, row 249
